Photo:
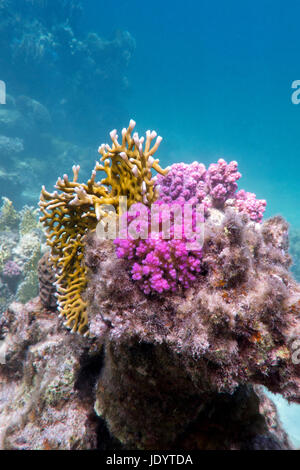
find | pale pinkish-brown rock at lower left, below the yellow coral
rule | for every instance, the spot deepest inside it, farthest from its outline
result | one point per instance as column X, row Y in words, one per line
column 40, row 407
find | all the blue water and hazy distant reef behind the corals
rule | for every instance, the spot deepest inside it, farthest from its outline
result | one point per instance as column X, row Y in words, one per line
column 214, row 79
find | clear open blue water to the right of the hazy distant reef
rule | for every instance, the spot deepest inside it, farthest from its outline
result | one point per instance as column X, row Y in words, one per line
column 214, row 78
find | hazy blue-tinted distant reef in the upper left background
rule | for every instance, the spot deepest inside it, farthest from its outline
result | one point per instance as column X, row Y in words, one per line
column 62, row 84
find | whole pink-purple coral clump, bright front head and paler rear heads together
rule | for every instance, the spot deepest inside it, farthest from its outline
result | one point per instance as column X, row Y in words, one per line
column 161, row 263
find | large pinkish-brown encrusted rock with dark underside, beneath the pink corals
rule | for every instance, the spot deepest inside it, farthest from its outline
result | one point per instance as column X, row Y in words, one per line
column 233, row 328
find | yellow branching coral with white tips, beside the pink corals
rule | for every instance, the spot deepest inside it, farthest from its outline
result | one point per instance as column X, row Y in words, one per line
column 69, row 214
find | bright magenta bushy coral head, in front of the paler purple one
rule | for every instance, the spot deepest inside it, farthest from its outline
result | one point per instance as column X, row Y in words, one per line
column 160, row 264
